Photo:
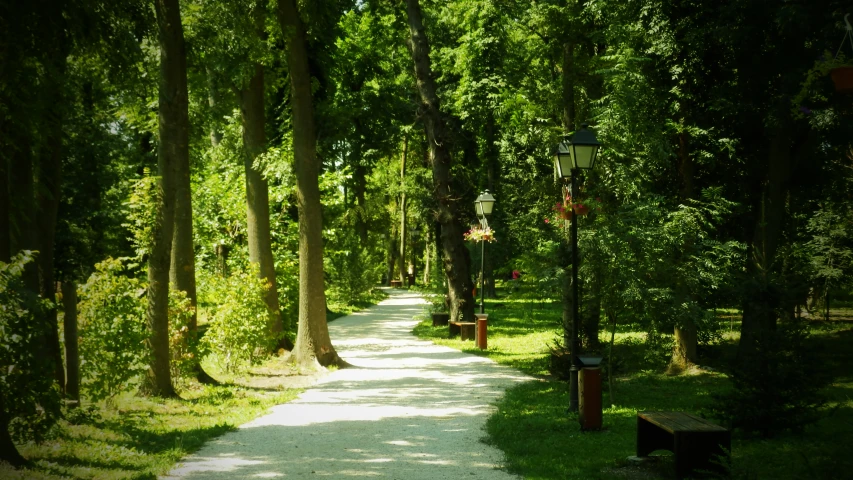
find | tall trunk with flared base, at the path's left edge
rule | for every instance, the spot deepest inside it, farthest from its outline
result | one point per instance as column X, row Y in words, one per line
column 313, row 345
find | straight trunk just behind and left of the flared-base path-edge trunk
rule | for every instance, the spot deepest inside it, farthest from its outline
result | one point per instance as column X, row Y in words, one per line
column 257, row 197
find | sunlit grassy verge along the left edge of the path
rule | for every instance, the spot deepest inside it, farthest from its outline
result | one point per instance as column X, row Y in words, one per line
column 141, row 438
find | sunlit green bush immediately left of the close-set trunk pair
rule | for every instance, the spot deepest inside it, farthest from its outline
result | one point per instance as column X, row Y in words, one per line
column 113, row 332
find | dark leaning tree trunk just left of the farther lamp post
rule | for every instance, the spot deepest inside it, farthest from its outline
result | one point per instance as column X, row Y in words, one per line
column 455, row 254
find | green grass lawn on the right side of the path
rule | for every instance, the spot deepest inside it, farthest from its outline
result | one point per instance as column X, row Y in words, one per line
column 542, row 441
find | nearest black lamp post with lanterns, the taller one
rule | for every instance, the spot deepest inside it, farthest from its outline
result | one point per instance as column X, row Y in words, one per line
column 575, row 152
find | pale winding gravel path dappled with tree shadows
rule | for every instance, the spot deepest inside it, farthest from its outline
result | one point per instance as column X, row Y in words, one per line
column 409, row 410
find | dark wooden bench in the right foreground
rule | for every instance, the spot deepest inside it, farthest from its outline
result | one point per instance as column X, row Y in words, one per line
column 694, row 441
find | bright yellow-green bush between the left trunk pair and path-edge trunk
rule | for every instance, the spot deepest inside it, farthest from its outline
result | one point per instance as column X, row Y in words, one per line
column 238, row 333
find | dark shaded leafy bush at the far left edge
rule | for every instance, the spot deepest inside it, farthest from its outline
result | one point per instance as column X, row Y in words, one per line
column 27, row 389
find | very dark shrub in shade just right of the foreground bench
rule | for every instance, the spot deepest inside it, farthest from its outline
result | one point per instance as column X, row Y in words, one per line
column 780, row 388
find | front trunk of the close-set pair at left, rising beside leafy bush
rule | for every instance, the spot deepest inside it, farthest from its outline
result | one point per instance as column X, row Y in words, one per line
column 172, row 149
